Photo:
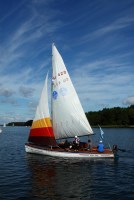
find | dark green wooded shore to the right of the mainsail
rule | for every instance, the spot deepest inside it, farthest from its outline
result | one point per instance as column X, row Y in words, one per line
column 112, row 117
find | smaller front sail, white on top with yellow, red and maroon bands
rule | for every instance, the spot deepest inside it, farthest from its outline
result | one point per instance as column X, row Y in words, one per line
column 41, row 132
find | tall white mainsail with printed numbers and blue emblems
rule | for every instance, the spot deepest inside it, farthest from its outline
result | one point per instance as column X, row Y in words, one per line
column 68, row 116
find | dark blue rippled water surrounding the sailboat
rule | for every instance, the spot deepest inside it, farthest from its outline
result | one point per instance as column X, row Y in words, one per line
column 35, row 177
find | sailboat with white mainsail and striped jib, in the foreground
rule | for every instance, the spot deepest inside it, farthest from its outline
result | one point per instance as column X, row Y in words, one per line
column 68, row 118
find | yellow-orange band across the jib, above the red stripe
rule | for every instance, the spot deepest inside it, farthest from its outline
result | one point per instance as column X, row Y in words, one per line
column 45, row 122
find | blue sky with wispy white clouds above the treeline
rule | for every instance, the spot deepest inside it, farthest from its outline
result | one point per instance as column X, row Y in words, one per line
column 94, row 37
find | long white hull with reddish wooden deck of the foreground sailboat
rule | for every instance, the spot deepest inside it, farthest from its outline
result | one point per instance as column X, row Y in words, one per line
column 65, row 153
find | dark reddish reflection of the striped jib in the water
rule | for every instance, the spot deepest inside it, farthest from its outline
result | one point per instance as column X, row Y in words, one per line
column 43, row 177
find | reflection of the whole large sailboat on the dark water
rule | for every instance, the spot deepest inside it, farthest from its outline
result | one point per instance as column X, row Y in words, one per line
column 58, row 179
